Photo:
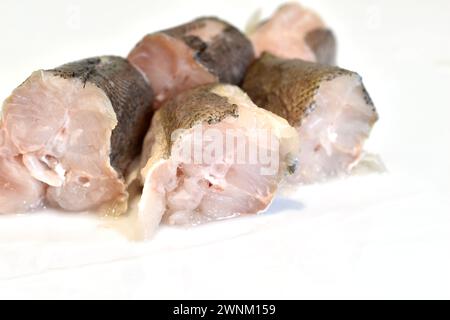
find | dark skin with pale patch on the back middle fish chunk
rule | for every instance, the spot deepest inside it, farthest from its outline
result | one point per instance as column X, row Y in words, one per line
column 227, row 55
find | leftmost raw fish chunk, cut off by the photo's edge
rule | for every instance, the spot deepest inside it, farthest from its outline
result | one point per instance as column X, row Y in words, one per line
column 68, row 135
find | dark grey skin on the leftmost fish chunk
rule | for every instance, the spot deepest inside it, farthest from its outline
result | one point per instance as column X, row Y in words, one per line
column 131, row 98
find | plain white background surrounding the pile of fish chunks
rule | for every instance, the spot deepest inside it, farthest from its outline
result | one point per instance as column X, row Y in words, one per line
column 377, row 236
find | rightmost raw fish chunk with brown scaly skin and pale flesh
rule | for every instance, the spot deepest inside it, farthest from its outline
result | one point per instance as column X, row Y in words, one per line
column 329, row 107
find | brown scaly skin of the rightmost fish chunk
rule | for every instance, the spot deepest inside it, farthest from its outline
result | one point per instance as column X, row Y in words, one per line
column 288, row 87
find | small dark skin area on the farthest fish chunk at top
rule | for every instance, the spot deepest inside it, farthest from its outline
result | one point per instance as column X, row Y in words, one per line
column 323, row 43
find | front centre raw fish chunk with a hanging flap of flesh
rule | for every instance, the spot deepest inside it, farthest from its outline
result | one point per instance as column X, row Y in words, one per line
column 235, row 181
